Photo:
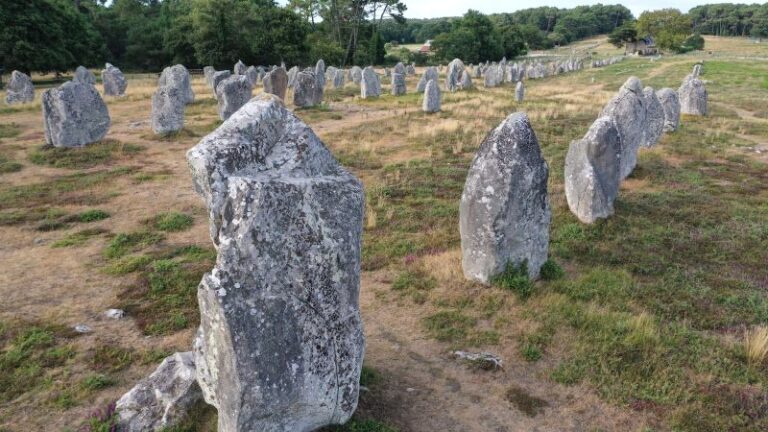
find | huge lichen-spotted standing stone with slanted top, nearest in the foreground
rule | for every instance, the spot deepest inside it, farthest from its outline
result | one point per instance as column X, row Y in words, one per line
column 280, row 344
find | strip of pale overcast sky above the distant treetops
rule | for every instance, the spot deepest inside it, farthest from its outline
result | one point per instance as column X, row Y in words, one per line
column 443, row 8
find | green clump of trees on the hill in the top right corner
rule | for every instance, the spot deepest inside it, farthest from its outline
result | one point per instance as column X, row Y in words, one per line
column 728, row 19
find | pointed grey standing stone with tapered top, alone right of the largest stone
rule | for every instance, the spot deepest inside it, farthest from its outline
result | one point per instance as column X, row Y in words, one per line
column 504, row 212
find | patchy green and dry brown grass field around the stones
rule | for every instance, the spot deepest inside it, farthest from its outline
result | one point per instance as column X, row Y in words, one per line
column 648, row 321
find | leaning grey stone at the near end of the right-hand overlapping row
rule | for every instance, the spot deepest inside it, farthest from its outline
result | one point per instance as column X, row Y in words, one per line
column 593, row 171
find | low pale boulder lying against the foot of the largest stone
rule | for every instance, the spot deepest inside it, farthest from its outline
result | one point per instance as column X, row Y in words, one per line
column 163, row 399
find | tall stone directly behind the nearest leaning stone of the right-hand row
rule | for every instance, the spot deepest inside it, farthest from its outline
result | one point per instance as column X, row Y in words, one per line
column 627, row 109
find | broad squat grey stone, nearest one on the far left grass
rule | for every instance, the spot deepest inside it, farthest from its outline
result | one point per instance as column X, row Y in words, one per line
column 74, row 115
